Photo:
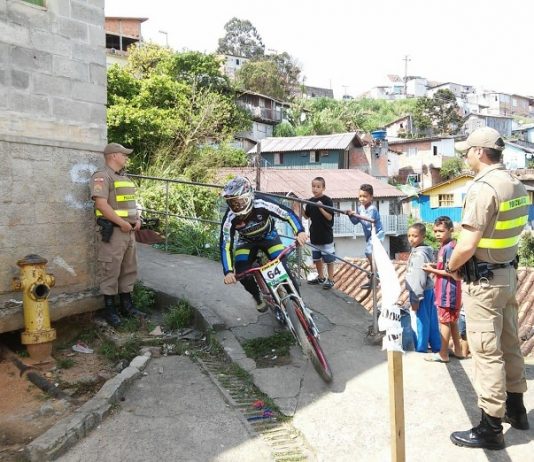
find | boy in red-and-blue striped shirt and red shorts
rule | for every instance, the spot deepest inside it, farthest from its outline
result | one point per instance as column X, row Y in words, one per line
column 447, row 292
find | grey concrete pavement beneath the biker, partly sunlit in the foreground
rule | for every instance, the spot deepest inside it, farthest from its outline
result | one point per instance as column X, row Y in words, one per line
column 345, row 421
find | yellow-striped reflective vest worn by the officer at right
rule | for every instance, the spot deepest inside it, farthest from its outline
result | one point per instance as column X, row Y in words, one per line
column 501, row 238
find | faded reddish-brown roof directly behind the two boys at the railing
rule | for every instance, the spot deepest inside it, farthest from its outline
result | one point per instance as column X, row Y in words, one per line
column 340, row 184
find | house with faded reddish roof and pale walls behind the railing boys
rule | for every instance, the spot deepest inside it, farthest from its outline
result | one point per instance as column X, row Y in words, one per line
column 343, row 187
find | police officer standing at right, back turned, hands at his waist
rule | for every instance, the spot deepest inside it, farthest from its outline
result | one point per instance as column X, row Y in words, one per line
column 495, row 213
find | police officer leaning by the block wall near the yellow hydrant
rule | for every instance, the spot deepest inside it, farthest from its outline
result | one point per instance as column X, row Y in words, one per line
column 117, row 214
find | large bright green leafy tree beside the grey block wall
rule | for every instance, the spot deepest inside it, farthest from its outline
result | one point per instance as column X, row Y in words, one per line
column 158, row 102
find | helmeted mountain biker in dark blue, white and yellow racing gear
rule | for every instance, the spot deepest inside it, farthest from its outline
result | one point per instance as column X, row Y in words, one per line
column 252, row 219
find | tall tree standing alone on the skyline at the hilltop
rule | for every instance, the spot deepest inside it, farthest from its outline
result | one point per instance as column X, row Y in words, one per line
column 241, row 39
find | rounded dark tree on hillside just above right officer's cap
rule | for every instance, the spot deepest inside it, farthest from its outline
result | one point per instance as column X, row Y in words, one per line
column 440, row 113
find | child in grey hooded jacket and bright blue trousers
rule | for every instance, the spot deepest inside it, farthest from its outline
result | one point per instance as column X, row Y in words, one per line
column 420, row 288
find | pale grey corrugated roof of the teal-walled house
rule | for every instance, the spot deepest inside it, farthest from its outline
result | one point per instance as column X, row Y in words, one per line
column 308, row 143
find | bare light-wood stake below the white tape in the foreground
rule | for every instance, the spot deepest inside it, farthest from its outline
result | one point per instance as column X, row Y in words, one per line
column 396, row 406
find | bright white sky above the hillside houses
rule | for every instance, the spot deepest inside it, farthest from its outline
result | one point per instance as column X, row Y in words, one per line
column 351, row 45
